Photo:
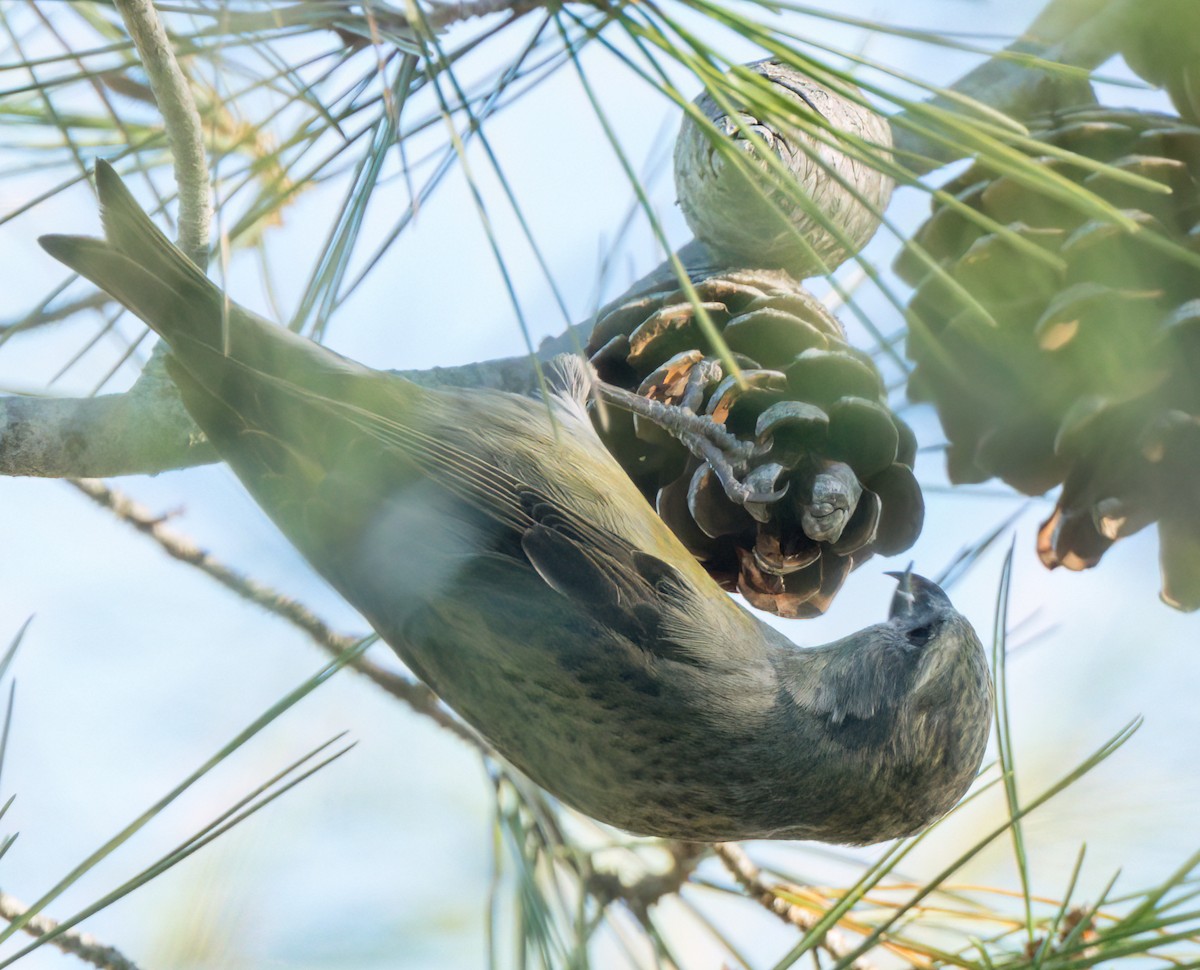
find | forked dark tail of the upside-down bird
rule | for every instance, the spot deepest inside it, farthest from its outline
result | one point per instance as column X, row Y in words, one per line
column 143, row 270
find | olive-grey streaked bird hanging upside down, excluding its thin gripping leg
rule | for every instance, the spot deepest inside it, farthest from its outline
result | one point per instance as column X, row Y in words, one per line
column 503, row 554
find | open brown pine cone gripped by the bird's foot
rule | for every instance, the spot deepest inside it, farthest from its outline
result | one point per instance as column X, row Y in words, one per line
column 843, row 457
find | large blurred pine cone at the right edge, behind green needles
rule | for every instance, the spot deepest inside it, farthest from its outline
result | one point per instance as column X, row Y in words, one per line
column 1083, row 369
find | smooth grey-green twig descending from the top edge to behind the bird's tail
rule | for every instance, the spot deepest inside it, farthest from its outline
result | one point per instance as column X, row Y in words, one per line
column 182, row 121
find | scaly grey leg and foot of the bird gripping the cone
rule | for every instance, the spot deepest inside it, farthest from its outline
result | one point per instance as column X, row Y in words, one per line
column 728, row 456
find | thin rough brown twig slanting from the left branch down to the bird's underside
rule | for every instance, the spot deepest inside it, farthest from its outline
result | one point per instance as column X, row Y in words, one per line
column 418, row 697
